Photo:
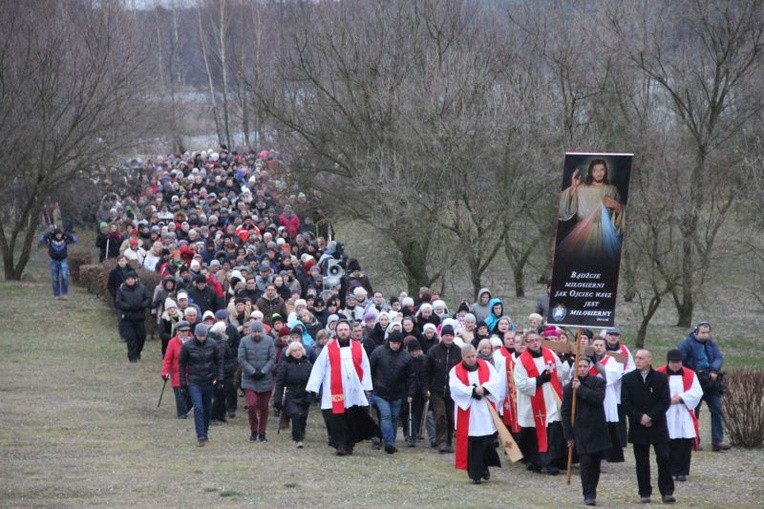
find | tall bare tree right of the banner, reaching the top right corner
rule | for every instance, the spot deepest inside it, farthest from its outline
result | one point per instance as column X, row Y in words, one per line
column 703, row 56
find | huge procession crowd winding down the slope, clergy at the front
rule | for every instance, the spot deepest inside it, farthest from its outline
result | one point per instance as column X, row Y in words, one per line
column 251, row 301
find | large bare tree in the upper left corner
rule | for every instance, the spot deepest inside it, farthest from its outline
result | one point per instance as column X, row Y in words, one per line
column 69, row 82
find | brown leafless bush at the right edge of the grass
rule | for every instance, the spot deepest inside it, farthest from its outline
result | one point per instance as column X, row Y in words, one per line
column 743, row 403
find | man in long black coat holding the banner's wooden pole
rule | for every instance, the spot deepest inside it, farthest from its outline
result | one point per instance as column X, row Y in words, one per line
column 589, row 433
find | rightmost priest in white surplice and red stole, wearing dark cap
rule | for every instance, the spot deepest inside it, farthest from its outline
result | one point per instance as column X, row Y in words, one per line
column 682, row 423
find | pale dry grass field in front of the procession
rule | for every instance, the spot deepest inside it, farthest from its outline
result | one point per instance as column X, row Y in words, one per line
column 79, row 427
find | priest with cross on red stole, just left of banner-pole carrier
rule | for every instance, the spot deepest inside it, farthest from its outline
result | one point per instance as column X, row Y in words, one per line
column 538, row 380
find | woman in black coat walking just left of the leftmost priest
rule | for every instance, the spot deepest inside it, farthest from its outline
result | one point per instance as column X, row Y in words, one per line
column 291, row 379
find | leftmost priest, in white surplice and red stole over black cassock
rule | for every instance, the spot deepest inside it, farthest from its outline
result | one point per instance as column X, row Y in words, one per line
column 342, row 369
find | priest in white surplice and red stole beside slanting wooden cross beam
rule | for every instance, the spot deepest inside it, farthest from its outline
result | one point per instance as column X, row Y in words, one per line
column 474, row 385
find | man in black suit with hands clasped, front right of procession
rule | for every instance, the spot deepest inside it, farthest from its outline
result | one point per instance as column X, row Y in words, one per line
column 645, row 397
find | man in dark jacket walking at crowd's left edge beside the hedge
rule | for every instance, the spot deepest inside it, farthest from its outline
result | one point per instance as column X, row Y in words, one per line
column 132, row 300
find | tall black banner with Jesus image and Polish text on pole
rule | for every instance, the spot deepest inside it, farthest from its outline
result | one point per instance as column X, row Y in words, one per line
column 591, row 223
